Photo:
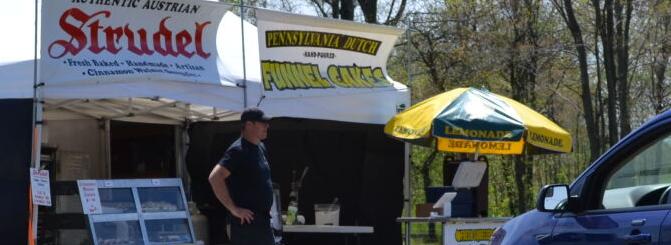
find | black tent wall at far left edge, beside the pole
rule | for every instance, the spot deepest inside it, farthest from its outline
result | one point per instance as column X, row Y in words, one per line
column 15, row 148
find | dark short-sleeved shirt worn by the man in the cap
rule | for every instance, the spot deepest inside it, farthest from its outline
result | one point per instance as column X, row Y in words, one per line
column 249, row 184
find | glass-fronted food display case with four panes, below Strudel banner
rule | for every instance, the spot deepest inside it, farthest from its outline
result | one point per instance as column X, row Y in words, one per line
column 139, row 211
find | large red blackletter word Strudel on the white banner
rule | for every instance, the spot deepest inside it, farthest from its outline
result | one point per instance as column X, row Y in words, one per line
column 162, row 41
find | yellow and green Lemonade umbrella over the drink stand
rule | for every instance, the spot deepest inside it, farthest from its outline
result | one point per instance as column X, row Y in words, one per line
column 470, row 120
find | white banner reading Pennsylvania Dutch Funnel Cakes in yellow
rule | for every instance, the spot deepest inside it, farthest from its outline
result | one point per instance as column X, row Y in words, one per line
column 309, row 56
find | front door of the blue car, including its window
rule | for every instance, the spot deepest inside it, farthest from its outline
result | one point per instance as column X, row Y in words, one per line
column 623, row 202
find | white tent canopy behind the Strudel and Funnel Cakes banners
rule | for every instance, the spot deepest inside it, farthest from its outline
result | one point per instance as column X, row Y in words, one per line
column 171, row 102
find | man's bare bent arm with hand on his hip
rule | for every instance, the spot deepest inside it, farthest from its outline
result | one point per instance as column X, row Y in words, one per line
column 218, row 182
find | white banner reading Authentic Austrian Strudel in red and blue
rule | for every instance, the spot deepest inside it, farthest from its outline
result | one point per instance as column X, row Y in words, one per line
column 87, row 41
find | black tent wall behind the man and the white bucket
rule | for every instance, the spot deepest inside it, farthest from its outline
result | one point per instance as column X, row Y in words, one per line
column 354, row 162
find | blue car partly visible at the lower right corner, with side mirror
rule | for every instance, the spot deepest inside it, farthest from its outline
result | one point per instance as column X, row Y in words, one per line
column 624, row 197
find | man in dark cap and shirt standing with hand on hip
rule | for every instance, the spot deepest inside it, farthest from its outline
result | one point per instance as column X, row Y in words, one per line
column 241, row 182
